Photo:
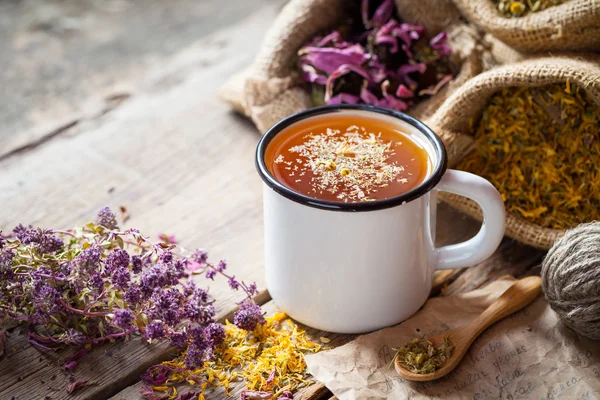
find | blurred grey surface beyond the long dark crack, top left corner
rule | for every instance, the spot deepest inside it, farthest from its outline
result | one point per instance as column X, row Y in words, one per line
column 63, row 61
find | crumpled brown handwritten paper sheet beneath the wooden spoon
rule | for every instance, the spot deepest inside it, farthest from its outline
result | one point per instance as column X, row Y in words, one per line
column 529, row 355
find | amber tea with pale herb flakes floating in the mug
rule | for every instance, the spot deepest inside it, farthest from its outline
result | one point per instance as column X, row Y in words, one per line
column 347, row 158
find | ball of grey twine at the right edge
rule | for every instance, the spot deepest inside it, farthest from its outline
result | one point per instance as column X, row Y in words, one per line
column 571, row 279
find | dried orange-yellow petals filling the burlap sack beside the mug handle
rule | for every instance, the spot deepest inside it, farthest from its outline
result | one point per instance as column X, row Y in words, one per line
column 540, row 148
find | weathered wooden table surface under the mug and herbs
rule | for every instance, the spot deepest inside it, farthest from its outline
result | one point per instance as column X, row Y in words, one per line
column 143, row 129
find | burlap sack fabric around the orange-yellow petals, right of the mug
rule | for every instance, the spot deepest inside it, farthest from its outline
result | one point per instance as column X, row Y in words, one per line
column 451, row 121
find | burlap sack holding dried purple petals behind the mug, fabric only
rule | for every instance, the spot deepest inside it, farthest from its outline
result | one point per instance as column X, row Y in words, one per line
column 271, row 88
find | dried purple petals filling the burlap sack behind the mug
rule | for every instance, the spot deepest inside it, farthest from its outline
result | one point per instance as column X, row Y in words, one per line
column 384, row 62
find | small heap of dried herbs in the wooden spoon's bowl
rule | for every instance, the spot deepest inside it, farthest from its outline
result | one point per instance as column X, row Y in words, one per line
column 420, row 356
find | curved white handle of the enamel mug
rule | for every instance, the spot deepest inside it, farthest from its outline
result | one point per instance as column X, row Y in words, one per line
column 482, row 245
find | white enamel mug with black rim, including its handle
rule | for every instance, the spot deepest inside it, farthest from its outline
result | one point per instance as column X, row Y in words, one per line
column 357, row 267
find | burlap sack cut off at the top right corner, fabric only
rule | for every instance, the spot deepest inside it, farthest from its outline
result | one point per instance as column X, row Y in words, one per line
column 571, row 26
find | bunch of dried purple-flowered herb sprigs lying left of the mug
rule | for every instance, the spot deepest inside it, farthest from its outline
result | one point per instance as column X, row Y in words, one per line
column 97, row 283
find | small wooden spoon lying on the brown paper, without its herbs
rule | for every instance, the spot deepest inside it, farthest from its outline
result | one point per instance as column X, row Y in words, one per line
column 520, row 294
